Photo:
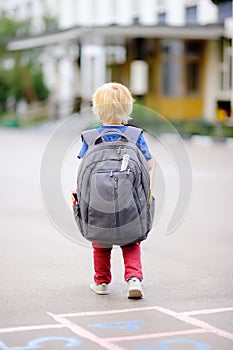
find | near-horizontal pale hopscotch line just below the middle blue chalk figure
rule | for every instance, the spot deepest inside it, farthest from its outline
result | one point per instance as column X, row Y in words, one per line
column 158, row 335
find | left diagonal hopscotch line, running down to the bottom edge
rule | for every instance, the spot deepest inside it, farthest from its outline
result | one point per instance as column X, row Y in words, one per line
column 83, row 333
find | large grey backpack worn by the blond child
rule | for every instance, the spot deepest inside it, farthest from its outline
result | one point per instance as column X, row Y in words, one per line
column 113, row 185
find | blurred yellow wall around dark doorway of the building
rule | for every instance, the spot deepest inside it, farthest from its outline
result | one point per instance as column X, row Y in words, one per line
column 174, row 108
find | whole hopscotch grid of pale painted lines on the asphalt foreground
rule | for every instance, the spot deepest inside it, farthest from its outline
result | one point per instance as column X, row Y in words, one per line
column 108, row 343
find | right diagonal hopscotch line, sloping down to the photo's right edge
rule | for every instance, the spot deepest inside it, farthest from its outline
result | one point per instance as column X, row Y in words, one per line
column 197, row 323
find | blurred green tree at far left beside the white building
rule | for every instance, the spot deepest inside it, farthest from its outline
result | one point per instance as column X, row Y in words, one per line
column 21, row 76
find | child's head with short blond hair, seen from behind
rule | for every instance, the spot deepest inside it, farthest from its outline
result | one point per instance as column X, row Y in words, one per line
column 113, row 103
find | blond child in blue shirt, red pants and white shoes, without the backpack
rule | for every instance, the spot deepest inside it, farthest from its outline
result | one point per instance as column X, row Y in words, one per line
column 113, row 104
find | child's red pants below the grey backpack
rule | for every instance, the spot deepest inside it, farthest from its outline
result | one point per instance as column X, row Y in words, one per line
column 102, row 262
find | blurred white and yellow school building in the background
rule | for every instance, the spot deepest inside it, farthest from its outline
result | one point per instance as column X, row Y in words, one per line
column 176, row 56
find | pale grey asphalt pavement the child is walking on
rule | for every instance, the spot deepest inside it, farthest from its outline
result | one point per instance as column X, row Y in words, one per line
column 45, row 301
